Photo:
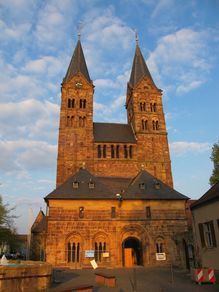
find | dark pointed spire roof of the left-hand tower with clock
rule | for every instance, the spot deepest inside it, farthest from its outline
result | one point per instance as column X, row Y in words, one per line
column 77, row 64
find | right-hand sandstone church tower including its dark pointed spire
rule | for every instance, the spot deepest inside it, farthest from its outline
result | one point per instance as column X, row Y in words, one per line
column 146, row 117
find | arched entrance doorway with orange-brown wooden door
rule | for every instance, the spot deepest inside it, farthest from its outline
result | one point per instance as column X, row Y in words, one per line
column 132, row 252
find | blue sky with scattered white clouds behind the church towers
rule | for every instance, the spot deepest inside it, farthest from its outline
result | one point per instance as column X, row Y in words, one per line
column 180, row 43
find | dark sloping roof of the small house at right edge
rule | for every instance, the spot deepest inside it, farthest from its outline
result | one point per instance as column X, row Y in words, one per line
column 210, row 196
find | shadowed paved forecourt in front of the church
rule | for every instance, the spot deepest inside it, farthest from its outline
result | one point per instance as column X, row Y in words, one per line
column 138, row 279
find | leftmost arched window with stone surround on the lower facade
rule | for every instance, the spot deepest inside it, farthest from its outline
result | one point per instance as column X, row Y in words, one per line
column 73, row 248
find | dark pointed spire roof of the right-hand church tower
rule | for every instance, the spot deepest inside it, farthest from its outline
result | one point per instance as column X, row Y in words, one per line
column 139, row 68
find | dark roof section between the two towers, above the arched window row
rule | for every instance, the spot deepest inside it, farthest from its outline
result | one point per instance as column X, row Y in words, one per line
column 110, row 132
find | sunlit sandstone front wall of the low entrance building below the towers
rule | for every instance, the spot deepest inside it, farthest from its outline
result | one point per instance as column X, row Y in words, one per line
column 129, row 224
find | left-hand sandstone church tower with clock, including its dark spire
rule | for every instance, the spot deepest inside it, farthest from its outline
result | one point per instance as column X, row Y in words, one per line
column 75, row 144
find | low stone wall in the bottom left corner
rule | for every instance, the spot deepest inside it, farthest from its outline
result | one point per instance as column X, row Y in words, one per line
column 25, row 276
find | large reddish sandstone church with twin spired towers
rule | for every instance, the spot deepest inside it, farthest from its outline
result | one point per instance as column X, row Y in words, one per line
column 114, row 200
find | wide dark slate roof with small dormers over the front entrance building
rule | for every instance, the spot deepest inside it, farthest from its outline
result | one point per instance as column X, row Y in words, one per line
column 107, row 188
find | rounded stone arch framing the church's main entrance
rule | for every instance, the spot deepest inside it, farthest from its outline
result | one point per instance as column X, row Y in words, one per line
column 135, row 237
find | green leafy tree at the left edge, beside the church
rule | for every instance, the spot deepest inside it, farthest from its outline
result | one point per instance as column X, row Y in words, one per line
column 7, row 230
